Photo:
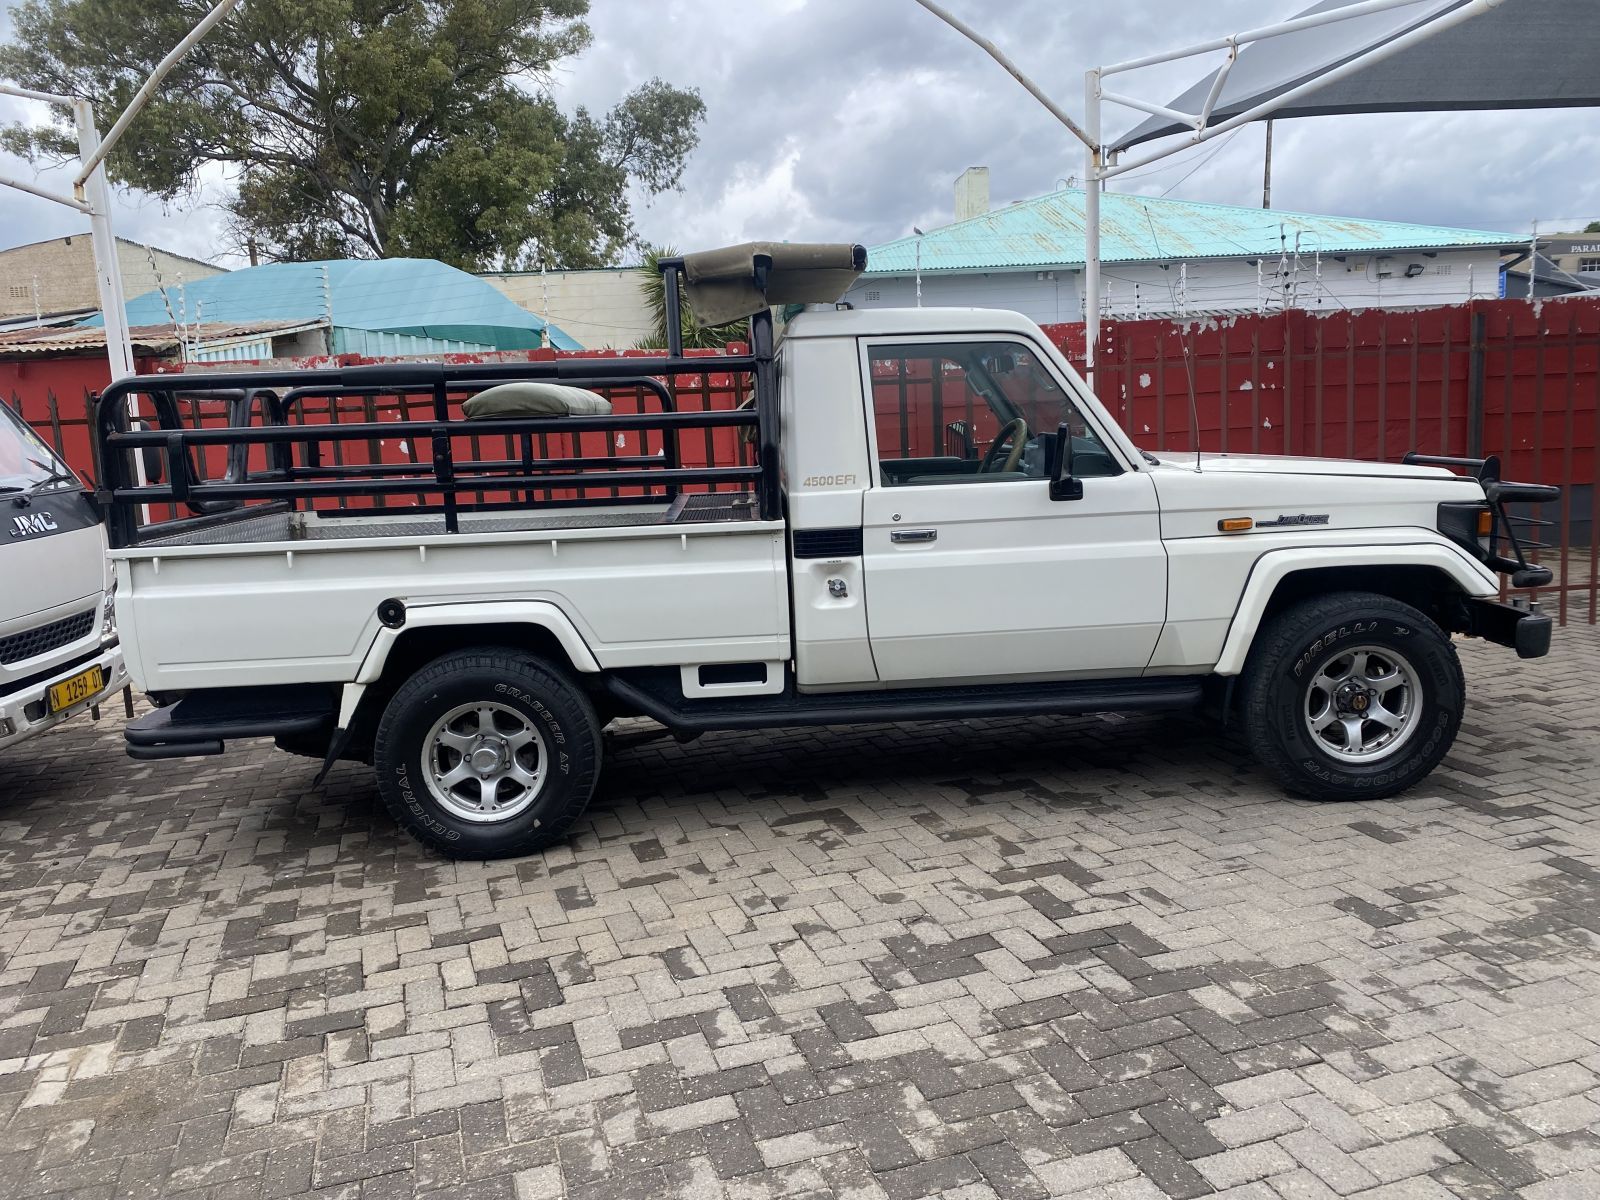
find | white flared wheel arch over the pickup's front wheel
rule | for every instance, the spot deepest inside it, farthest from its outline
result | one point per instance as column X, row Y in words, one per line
column 1428, row 577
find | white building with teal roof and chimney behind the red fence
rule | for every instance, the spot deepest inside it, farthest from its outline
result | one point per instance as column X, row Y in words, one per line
column 1174, row 258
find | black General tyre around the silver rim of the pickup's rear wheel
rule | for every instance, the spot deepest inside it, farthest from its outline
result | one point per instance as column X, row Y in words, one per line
column 514, row 679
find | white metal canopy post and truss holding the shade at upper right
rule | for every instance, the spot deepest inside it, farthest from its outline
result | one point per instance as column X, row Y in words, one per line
column 1100, row 167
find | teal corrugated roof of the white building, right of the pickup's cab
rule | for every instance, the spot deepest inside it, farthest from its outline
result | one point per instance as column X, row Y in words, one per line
column 1049, row 233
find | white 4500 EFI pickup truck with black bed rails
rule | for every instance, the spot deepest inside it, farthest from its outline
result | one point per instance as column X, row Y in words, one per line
column 934, row 519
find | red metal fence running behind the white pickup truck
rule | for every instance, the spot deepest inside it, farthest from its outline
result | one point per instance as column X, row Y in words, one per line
column 1500, row 378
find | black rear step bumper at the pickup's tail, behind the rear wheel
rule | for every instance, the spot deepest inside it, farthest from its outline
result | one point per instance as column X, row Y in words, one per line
column 204, row 721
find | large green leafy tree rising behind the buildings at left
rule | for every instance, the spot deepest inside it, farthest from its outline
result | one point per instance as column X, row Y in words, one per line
column 369, row 129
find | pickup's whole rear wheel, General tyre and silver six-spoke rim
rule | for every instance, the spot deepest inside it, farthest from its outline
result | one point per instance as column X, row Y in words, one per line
column 489, row 754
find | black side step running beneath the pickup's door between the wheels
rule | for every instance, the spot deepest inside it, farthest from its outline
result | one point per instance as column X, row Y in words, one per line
column 906, row 705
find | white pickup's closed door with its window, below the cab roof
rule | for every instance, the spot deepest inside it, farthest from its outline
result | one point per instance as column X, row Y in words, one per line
column 972, row 570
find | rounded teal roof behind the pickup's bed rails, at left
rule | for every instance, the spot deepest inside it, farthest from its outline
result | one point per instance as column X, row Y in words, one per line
column 393, row 295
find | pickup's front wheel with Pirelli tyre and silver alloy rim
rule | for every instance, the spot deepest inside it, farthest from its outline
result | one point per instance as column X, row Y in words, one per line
column 1351, row 697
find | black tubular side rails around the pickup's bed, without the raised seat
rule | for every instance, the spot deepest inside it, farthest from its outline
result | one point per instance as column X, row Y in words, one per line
column 439, row 471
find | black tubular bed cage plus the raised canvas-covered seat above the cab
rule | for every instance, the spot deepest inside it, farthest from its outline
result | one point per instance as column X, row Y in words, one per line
column 740, row 282
